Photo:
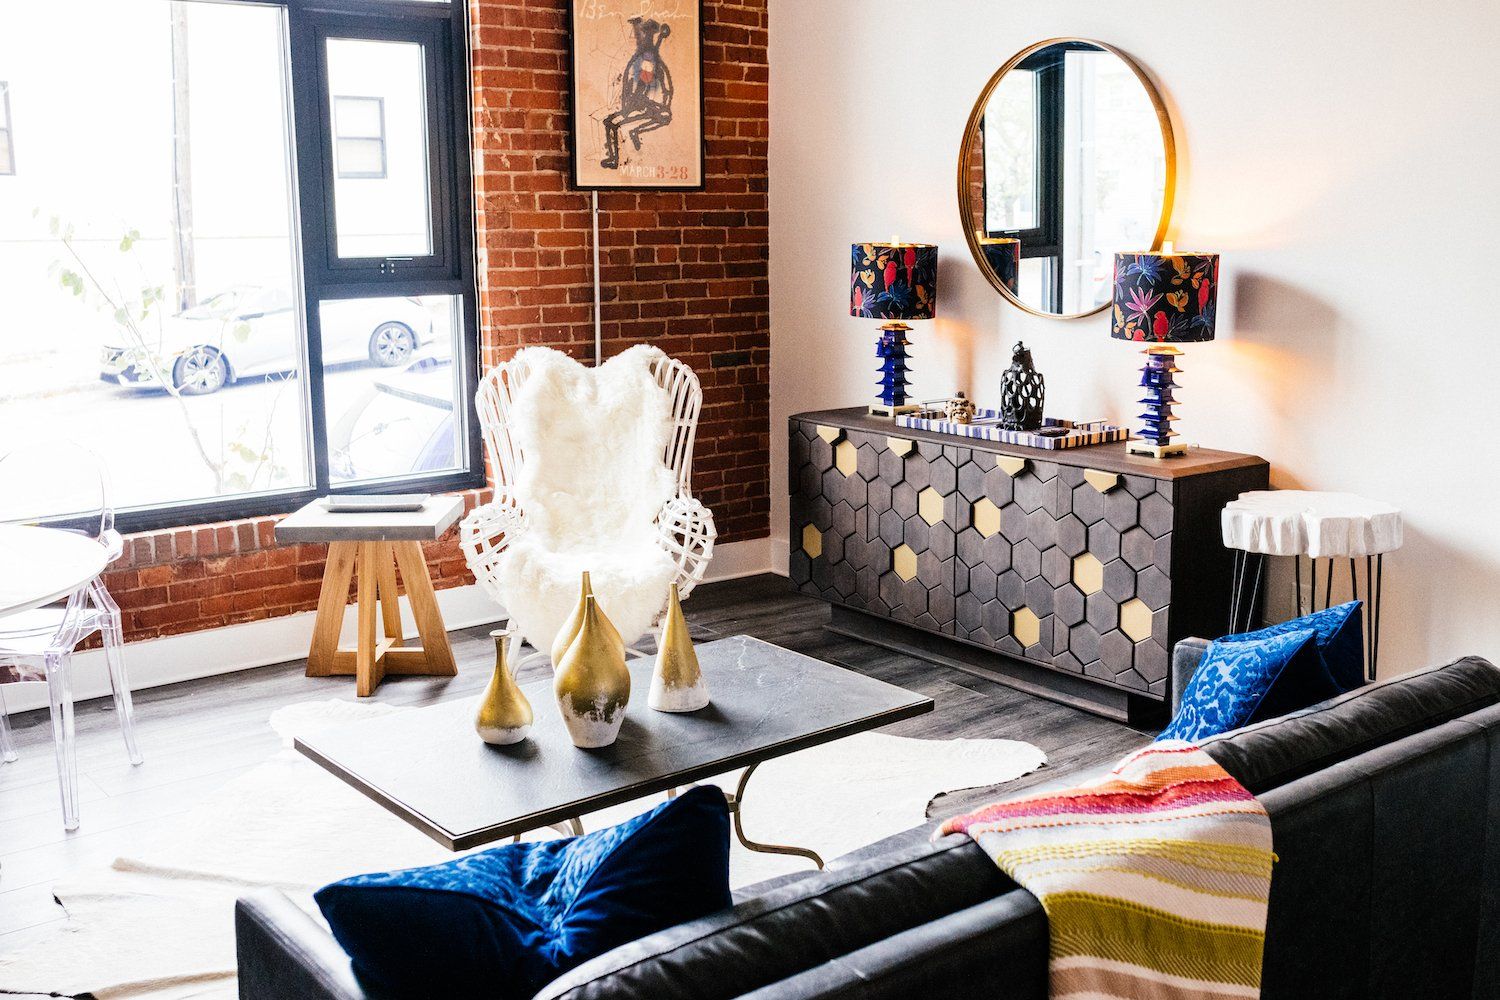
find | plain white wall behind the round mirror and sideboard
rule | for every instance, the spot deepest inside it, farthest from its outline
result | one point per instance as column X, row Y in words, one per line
column 1345, row 160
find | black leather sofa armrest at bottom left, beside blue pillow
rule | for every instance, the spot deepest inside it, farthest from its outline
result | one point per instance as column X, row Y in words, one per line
column 284, row 953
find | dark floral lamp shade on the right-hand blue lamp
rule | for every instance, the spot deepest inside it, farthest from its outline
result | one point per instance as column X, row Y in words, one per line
column 1165, row 298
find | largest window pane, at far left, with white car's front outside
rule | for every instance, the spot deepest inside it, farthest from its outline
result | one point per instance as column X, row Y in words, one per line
column 151, row 296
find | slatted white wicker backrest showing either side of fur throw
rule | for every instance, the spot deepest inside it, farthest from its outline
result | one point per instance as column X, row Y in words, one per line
column 497, row 395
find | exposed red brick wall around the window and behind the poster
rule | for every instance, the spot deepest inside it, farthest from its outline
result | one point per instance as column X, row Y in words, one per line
column 683, row 271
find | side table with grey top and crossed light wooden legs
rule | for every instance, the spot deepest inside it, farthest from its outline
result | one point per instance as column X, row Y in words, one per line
column 370, row 548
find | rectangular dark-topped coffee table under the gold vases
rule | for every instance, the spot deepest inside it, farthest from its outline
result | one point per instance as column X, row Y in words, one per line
column 430, row 768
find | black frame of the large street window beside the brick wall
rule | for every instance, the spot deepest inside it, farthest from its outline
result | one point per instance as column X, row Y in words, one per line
column 449, row 271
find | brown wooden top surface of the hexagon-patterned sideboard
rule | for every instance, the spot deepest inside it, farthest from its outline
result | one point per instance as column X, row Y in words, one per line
column 1109, row 458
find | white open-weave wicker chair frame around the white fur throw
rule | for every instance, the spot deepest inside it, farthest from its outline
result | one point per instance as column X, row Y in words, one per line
column 685, row 527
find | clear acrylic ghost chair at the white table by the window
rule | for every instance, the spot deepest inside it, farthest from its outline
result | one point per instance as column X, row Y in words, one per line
column 38, row 645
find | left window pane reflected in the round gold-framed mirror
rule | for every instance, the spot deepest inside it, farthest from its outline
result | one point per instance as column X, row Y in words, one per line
column 1010, row 154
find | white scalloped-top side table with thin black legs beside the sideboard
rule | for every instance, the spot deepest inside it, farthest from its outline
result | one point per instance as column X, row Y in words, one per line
column 1313, row 525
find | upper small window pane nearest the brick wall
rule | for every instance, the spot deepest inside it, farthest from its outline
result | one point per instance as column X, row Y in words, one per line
column 391, row 217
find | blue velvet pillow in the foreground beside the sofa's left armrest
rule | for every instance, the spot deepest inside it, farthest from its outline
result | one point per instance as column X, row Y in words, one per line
column 505, row 923
